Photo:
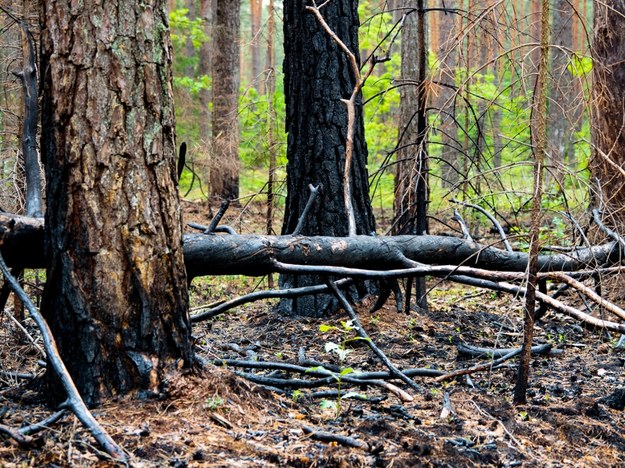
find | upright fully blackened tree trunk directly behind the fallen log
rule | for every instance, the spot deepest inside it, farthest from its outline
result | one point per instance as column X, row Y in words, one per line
column 317, row 77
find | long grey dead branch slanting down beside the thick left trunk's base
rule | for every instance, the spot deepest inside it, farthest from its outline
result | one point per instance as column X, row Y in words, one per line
column 74, row 401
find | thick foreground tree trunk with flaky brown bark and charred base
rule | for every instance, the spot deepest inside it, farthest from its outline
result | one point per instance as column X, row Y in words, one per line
column 116, row 296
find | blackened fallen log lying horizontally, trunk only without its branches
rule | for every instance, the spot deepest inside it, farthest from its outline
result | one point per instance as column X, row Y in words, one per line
column 21, row 240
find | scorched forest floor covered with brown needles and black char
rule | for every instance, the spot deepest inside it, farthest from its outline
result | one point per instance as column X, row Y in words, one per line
column 216, row 418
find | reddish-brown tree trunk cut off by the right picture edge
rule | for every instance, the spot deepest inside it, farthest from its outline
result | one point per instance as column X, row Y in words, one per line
column 608, row 113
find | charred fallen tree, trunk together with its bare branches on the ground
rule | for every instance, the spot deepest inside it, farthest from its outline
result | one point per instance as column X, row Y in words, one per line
column 352, row 258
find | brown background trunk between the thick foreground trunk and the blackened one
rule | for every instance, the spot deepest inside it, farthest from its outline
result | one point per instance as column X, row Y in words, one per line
column 224, row 172
